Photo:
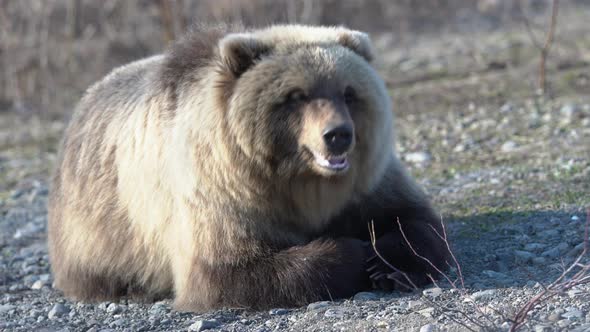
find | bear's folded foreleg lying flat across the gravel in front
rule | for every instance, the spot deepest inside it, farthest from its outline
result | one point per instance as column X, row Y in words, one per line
column 320, row 270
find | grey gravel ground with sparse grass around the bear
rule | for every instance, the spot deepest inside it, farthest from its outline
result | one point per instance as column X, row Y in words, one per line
column 509, row 170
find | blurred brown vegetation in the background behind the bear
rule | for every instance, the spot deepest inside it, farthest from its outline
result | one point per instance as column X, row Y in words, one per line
column 51, row 50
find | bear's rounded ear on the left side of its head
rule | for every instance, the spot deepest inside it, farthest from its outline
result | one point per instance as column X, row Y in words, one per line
column 239, row 51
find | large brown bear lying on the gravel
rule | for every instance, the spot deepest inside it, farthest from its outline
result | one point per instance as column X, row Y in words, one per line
column 239, row 169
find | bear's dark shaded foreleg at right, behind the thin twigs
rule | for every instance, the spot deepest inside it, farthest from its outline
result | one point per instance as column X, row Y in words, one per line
column 397, row 199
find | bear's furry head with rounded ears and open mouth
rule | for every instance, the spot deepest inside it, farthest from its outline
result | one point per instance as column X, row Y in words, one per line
column 305, row 102
